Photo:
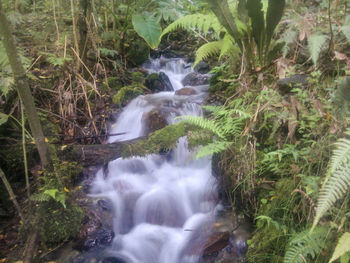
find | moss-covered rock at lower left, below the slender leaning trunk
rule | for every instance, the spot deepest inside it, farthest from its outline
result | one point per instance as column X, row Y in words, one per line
column 60, row 224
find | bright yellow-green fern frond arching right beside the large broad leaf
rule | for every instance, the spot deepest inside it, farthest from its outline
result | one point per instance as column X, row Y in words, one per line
column 201, row 22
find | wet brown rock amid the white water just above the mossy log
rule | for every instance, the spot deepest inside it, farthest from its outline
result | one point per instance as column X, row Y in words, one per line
column 153, row 120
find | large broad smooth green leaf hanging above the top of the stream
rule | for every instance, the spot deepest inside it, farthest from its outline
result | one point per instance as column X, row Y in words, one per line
column 147, row 26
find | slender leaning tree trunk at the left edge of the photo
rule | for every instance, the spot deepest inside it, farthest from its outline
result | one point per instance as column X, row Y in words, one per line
column 22, row 86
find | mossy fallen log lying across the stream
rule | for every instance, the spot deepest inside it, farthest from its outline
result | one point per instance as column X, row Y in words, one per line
column 100, row 154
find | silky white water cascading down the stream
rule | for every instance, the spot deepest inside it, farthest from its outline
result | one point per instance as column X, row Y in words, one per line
column 162, row 203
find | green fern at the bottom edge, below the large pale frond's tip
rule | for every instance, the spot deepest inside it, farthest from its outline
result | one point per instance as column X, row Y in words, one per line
column 305, row 244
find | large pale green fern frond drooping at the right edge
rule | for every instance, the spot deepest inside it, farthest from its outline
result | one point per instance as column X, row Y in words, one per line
column 338, row 178
